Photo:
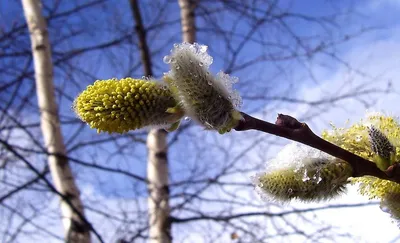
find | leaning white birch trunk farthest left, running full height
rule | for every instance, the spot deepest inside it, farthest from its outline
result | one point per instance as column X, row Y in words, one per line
column 76, row 229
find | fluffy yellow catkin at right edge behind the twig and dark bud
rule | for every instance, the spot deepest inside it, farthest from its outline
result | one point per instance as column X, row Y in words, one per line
column 355, row 139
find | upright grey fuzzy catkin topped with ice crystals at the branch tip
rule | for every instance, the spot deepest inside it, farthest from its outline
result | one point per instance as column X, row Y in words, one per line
column 207, row 99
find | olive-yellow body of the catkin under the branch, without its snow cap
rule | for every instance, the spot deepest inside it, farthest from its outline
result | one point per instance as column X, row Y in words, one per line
column 316, row 180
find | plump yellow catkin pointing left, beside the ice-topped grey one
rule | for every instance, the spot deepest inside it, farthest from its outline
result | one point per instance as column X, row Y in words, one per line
column 127, row 104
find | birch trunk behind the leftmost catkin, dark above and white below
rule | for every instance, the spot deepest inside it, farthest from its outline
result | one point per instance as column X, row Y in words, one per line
column 157, row 161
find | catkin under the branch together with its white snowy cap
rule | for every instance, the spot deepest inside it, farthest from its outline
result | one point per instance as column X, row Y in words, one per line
column 303, row 173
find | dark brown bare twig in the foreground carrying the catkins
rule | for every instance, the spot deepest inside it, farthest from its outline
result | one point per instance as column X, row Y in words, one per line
column 288, row 127
